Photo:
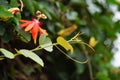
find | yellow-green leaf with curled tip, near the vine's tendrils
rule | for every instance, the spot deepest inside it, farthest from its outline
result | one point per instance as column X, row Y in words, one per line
column 61, row 41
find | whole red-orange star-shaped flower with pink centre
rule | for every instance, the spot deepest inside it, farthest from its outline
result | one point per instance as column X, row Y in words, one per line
column 34, row 26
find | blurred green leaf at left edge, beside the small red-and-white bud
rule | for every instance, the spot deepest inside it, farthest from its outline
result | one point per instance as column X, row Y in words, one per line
column 4, row 14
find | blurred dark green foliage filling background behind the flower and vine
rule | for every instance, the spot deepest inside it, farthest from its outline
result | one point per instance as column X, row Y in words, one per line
column 61, row 14
